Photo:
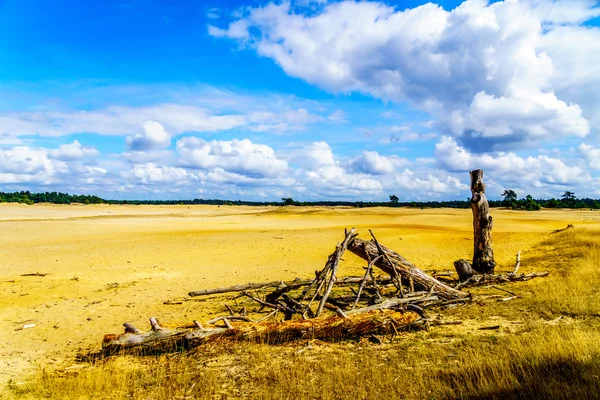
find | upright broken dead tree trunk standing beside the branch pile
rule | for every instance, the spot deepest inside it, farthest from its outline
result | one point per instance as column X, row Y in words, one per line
column 483, row 253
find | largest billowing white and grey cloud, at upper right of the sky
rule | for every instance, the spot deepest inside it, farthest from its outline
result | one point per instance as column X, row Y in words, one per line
column 480, row 69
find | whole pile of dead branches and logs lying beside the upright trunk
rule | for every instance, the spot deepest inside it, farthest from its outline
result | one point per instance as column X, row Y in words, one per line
column 325, row 307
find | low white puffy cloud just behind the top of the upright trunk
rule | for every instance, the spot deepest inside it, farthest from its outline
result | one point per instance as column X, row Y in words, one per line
column 508, row 167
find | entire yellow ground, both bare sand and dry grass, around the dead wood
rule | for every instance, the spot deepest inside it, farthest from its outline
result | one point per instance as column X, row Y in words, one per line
column 160, row 253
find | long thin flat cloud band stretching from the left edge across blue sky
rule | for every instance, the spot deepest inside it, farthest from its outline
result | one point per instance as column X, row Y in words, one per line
column 140, row 122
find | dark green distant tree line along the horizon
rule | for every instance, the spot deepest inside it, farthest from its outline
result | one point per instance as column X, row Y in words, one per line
column 510, row 200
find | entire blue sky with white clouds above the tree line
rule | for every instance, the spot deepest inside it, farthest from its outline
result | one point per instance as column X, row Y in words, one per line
column 314, row 100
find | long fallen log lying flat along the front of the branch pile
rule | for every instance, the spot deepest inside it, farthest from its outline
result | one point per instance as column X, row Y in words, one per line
column 333, row 328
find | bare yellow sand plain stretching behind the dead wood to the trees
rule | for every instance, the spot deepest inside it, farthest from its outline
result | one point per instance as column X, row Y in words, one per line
column 113, row 264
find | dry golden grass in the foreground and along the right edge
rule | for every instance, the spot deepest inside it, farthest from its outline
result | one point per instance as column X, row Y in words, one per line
column 548, row 347
